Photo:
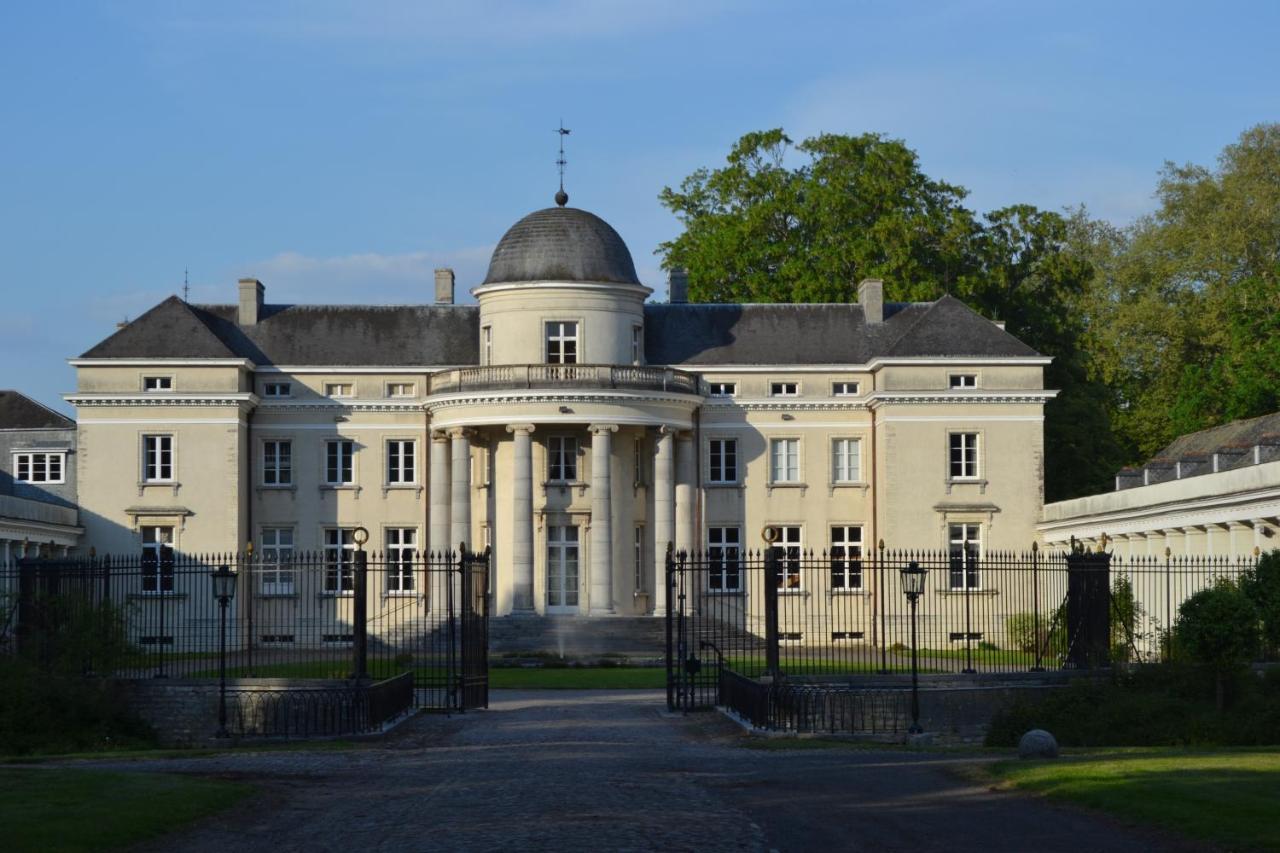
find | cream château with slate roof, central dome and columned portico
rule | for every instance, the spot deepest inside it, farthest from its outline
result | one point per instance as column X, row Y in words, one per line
column 564, row 422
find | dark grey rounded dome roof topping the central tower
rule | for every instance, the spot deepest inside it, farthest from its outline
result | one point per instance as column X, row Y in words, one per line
column 561, row 245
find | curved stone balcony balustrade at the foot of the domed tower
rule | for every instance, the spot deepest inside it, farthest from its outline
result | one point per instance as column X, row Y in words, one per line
column 506, row 377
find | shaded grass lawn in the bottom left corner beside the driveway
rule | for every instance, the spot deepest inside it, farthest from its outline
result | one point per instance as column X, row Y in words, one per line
column 57, row 811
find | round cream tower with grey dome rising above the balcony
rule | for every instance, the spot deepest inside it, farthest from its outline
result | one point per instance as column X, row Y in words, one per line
column 561, row 289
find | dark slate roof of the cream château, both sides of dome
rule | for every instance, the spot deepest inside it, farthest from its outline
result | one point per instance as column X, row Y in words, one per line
column 675, row 335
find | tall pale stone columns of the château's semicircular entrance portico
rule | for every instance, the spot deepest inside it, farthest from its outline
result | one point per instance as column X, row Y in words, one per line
column 674, row 499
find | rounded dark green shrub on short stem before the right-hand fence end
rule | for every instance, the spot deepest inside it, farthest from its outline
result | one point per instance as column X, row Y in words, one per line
column 1219, row 628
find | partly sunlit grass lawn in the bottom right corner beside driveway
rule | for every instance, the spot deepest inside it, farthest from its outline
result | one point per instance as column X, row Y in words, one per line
column 1227, row 797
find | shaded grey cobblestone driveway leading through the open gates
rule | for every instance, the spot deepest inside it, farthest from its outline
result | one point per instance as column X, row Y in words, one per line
column 612, row 772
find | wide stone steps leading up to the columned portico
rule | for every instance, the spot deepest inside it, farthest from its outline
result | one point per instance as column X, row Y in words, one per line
column 637, row 638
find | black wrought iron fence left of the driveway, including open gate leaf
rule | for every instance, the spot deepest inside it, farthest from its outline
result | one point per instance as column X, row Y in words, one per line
column 326, row 615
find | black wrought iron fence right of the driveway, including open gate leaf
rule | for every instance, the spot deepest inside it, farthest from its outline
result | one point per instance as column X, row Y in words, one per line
column 804, row 615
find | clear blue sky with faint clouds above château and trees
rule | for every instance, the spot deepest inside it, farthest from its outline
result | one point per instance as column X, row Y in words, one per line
column 341, row 152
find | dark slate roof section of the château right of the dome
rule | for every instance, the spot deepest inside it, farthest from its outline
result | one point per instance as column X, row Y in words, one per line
column 836, row 334
